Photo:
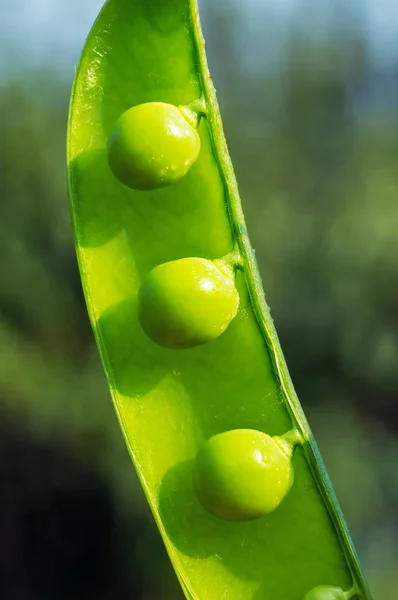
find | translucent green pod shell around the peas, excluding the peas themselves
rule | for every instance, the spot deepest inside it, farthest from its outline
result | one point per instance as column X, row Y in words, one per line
column 169, row 401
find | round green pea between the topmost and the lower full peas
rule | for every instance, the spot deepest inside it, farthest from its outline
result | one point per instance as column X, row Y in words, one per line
column 187, row 302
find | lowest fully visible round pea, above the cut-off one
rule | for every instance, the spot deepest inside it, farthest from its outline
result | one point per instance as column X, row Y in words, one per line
column 242, row 474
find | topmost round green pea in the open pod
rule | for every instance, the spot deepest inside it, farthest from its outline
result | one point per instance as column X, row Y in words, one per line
column 152, row 145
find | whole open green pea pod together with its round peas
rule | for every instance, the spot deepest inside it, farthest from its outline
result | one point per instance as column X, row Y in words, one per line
column 209, row 414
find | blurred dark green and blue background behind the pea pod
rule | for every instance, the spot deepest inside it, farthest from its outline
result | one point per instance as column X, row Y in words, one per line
column 309, row 95
